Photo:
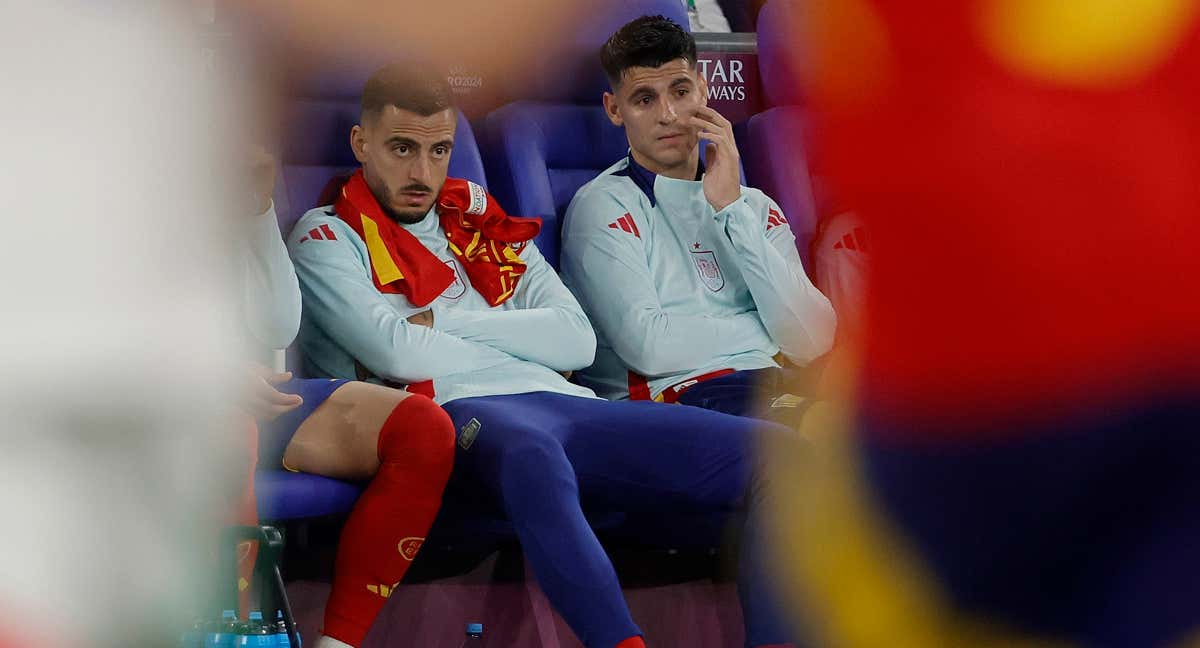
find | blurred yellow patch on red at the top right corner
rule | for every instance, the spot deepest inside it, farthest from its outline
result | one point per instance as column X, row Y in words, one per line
column 1084, row 43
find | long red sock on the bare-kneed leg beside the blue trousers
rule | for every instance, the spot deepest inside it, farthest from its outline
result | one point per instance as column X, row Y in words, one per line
column 389, row 523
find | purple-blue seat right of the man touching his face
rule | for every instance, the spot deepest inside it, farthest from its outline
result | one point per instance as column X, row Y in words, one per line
column 776, row 155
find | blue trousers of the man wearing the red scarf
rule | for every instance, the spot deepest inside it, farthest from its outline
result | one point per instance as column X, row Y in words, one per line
column 543, row 454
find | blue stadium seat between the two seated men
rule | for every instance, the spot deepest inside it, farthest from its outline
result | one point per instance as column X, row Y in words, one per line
column 541, row 151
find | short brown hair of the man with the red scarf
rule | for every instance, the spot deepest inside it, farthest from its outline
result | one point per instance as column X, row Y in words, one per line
column 413, row 87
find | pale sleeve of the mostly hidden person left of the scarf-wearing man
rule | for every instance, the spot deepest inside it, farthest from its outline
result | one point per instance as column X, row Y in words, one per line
column 271, row 293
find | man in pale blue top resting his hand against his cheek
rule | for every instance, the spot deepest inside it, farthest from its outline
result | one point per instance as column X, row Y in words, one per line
column 693, row 281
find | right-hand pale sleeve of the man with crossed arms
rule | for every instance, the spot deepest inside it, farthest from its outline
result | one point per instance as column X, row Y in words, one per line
column 547, row 327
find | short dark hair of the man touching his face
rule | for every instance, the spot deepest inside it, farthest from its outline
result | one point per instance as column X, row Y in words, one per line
column 649, row 41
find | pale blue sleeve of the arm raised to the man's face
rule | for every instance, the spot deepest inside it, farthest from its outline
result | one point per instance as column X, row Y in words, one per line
column 799, row 316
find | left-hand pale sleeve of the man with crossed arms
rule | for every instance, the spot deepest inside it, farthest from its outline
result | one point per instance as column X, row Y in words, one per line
column 341, row 299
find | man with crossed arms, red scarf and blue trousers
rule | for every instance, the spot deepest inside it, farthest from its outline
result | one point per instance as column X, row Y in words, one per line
column 421, row 280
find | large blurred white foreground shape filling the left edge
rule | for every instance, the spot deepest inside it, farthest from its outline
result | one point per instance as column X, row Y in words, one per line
column 118, row 326
